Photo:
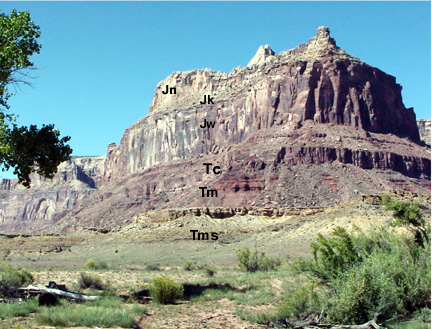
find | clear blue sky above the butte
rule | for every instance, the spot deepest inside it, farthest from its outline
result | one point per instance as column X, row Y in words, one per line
column 100, row 61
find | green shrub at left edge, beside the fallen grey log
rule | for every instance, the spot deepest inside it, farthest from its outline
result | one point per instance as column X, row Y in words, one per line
column 11, row 279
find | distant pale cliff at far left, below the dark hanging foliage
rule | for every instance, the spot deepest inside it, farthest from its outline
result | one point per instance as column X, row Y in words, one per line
column 75, row 180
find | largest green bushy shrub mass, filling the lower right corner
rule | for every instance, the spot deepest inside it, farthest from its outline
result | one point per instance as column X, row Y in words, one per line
column 362, row 274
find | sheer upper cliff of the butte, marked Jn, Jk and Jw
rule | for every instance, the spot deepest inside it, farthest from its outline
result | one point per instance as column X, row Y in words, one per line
column 317, row 81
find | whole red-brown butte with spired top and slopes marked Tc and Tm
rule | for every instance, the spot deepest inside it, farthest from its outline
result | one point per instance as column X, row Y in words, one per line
column 311, row 126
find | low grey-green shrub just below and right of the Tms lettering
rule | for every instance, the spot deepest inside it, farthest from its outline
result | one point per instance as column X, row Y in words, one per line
column 255, row 261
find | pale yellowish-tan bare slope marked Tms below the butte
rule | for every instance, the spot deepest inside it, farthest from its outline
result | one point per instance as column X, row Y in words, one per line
column 171, row 243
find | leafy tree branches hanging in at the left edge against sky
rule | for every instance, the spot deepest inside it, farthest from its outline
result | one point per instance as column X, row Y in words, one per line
column 26, row 149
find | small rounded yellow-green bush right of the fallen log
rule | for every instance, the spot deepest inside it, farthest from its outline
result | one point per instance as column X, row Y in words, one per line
column 165, row 290
